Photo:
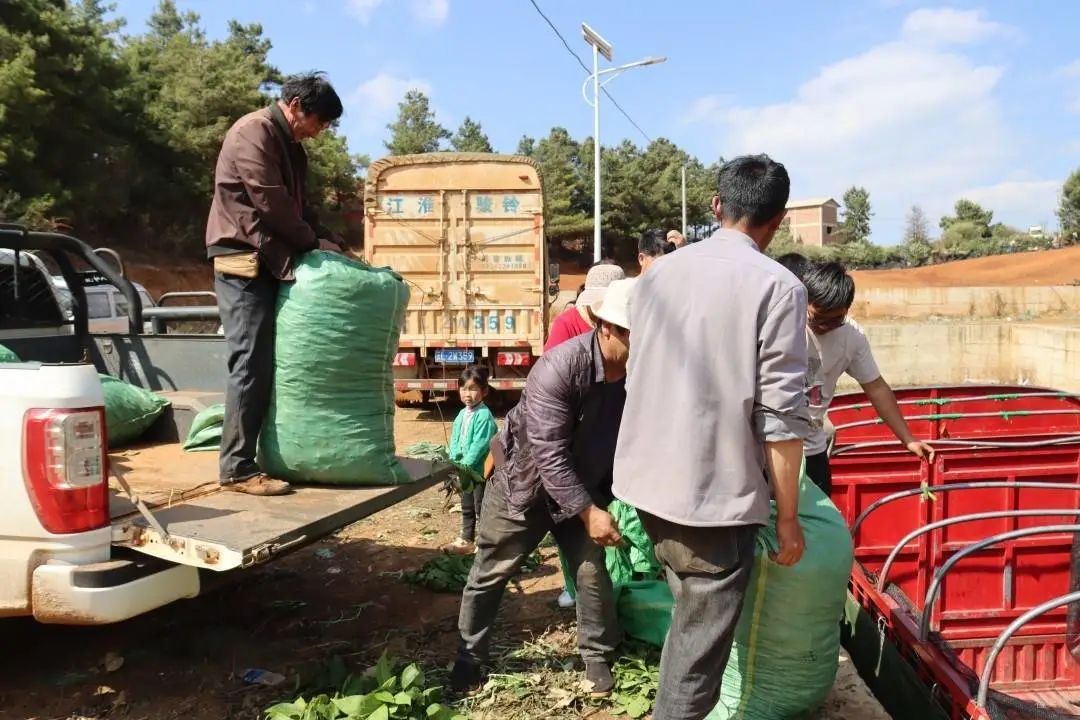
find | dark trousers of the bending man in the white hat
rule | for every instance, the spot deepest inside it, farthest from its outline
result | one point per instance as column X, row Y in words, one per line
column 504, row 542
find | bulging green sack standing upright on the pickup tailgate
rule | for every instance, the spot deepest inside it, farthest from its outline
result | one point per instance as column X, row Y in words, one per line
column 332, row 411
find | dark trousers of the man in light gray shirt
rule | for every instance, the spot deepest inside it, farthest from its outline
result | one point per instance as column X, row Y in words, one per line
column 708, row 570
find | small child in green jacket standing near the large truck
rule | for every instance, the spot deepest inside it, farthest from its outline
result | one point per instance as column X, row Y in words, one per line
column 470, row 440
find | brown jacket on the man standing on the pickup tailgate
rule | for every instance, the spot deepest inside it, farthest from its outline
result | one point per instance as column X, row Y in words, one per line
column 259, row 194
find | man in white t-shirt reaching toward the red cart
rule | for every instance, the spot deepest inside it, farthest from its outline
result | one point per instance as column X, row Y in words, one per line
column 838, row 346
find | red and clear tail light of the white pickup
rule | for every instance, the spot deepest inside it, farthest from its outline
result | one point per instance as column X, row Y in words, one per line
column 65, row 468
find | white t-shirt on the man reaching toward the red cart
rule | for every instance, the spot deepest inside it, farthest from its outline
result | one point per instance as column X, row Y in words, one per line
column 831, row 356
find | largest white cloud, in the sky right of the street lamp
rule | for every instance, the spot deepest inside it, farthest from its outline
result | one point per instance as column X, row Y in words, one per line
column 912, row 123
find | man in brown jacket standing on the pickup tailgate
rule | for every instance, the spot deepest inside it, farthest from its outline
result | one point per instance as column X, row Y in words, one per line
column 259, row 223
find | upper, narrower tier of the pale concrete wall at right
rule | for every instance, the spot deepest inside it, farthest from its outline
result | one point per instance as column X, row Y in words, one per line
column 966, row 303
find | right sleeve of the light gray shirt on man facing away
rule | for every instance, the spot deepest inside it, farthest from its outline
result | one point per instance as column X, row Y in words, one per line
column 780, row 405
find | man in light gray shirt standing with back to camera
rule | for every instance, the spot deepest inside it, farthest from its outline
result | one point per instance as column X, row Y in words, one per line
column 720, row 362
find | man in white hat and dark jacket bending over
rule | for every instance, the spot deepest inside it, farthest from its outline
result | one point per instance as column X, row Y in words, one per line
column 556, row 477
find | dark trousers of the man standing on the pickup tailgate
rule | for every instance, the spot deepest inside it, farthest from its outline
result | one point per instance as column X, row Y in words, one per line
column 248, row 322
